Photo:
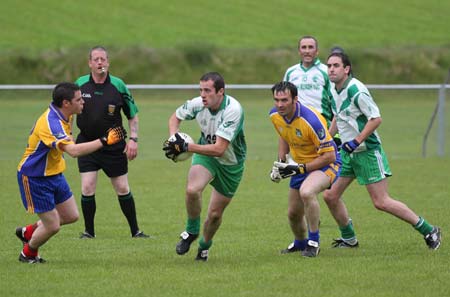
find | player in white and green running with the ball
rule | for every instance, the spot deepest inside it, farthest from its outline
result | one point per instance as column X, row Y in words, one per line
column 218, row 157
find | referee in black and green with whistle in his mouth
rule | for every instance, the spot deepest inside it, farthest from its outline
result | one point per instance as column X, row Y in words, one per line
column 106, row 97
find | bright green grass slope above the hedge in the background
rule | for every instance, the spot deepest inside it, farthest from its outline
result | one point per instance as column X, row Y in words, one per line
column 46, row 25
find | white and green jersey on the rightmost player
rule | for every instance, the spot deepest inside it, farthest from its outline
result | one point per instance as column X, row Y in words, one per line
column 353, row 106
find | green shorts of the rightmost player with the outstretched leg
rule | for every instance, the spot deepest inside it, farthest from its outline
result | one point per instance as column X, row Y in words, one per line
column 367, row 167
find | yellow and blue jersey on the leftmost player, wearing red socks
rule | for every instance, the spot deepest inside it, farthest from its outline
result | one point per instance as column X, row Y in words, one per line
column 43, row 156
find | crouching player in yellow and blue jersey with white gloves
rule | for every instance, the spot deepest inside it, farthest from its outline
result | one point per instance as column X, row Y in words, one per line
column 314, row 166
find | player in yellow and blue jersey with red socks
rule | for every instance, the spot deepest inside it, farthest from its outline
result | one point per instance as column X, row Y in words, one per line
column 43, row 187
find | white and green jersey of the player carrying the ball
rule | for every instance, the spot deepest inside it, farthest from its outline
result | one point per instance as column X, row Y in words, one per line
column 227, row 122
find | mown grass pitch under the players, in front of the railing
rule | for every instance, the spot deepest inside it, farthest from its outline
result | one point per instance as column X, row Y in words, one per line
column 244, row 260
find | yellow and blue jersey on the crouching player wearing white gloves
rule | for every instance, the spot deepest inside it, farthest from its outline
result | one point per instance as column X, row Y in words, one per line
column 306, row 133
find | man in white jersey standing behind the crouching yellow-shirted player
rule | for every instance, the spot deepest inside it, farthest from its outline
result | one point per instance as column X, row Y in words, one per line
column 311, row 78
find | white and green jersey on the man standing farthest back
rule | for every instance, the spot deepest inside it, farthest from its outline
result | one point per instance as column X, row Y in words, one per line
column 313, row 86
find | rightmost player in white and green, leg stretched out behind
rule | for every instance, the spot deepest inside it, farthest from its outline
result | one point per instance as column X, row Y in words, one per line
column 356, row 118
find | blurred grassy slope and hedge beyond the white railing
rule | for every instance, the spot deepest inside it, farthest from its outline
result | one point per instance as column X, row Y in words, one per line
column 248, row 41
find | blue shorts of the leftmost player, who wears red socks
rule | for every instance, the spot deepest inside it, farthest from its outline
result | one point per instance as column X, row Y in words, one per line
column 42, row 194
